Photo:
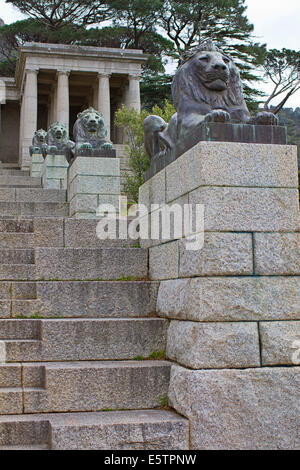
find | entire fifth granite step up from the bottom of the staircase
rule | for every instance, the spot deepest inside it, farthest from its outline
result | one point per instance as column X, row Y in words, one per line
column 74, row 264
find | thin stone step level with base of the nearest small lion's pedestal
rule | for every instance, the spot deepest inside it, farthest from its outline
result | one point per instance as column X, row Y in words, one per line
column 34, row 209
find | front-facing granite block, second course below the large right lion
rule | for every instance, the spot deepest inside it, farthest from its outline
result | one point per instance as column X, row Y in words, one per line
column 248, row 209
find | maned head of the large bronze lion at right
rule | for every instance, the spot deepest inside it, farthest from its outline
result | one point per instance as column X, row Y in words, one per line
column 208, row 75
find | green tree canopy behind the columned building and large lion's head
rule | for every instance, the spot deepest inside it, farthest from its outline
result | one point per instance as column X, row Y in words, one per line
column 162, row 28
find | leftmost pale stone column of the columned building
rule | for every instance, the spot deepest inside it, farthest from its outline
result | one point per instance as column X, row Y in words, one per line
column 28, row 115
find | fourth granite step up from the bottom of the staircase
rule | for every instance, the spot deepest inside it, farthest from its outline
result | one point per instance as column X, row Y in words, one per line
column 79, row 299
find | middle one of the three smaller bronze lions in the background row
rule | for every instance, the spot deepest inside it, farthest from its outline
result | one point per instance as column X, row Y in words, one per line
column 58, row 141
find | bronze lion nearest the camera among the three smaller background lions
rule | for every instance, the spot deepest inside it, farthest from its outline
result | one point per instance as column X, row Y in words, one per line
column 90, row 132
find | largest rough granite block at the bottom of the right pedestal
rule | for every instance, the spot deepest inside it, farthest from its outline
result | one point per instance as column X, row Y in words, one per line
column 252, row 409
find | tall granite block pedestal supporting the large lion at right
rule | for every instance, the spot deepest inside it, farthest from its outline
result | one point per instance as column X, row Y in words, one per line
column 234, row 305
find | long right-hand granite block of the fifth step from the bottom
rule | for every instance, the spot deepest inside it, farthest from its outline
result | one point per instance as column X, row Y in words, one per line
column 88, row 264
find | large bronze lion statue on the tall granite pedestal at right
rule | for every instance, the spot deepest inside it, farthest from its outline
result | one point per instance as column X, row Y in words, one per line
column 206, row 87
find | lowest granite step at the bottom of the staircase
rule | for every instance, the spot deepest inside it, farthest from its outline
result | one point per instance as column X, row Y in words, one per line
column 117, row 430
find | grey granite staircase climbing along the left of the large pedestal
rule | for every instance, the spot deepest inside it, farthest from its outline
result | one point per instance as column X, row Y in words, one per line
column 81, row 363
